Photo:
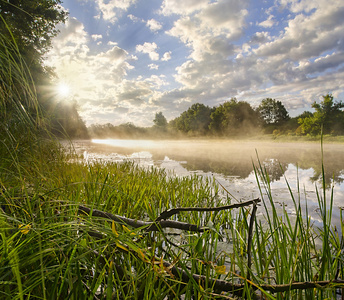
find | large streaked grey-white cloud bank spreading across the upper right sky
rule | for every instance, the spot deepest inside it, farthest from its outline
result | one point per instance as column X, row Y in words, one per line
column 271, row 68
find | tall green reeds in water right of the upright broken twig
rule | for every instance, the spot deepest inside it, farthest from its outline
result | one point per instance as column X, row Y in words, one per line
column 287, row 247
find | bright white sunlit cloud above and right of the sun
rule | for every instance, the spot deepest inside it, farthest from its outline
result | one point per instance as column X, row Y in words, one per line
column 94, row 78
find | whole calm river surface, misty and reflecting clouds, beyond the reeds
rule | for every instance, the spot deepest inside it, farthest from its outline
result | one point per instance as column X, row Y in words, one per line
column 231, row 163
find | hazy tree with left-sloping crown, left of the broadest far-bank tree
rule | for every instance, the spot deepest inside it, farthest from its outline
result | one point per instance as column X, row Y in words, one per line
column 195, row 120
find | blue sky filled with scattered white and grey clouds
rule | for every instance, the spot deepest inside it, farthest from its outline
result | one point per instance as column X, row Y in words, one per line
column 125, row 60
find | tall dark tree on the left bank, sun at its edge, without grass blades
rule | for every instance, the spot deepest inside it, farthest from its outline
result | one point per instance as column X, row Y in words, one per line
column 30, row 25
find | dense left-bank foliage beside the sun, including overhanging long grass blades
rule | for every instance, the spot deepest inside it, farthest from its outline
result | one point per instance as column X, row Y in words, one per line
column 27, row 28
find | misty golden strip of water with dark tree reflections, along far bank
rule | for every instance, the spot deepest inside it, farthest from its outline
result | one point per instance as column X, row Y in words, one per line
column 236, row 158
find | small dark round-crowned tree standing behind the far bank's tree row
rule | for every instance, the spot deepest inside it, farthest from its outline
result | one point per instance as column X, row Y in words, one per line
column 273, row 112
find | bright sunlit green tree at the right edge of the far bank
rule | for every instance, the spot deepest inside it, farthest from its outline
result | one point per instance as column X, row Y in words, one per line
column 328, row 116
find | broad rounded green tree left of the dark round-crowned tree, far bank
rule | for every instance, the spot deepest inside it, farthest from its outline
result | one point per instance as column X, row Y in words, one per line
column 234, row 117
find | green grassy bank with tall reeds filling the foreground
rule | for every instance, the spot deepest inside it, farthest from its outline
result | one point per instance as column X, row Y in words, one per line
column 50, row 250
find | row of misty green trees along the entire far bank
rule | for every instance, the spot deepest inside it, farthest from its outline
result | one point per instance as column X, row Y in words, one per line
column 233, row 118
